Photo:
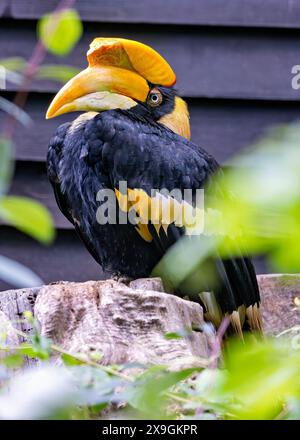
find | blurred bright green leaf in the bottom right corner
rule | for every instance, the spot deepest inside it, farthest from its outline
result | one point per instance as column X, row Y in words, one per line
column 260, row 379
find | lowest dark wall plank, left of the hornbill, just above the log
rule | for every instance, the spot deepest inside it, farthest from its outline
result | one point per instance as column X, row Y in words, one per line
column 67, row 259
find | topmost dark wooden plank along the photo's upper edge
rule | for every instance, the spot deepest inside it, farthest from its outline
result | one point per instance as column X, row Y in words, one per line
column 276, row 13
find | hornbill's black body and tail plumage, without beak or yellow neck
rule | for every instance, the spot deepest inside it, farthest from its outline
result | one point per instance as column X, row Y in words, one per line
column 97, row 151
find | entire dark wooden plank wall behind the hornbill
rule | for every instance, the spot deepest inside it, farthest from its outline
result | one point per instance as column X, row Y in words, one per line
column 233, row 59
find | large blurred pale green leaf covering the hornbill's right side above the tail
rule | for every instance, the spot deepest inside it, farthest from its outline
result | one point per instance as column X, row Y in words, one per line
column 252, row 207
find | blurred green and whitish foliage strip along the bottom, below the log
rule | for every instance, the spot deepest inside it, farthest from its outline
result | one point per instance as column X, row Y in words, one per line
column 258, row 380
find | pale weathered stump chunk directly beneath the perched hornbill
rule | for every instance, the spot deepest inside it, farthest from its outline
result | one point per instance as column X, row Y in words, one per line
column 125, row 324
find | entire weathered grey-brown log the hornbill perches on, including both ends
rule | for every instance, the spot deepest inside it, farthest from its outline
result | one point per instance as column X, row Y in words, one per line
column 128, row 323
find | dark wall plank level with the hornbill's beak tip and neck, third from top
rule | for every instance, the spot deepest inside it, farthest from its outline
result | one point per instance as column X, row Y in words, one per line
column 221, row 127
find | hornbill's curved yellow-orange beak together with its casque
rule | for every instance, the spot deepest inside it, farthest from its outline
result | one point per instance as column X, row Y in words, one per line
column 118, row 76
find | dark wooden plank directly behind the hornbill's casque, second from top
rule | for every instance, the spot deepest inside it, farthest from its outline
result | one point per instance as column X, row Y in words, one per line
column 210, row 63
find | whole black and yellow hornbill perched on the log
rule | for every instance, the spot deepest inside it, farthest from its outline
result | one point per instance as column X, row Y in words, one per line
column 136, row 129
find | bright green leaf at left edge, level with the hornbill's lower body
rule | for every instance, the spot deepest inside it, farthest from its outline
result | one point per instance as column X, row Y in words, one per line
column 29, row 216
